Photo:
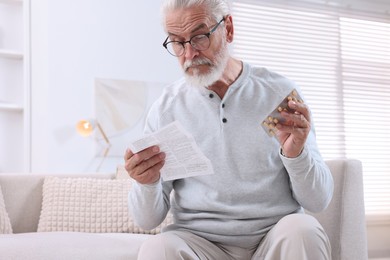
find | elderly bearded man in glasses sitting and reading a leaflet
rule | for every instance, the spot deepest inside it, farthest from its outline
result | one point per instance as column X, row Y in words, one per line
column 252, row 207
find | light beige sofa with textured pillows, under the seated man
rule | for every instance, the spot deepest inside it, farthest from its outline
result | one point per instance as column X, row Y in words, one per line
column 51, row 217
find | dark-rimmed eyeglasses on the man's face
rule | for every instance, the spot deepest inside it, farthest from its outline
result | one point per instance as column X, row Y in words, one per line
column 199, row 42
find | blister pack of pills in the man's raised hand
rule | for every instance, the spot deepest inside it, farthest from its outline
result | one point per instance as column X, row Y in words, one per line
column 269, row 123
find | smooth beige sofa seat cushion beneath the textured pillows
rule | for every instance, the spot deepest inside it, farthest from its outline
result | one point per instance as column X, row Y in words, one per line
column 70, row 246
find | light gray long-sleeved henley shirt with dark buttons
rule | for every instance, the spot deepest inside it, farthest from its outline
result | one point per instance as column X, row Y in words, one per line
column 254, row 185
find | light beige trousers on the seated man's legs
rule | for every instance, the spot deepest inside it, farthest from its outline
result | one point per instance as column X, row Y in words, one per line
column 294, row 237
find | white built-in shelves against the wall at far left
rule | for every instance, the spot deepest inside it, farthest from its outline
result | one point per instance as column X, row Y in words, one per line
column 14, row 86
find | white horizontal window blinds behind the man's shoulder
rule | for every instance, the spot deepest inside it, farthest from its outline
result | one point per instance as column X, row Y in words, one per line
column 341, row 60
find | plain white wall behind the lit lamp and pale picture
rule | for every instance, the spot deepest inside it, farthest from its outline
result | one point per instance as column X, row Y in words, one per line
column 74, row 42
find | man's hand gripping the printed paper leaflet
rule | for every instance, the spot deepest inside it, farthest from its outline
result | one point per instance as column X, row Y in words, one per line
column 145, row 166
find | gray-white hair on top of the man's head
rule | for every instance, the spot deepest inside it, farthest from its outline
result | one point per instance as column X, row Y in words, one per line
column 216, row 8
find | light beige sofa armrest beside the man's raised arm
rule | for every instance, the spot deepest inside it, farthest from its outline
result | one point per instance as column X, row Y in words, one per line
column 344, row 219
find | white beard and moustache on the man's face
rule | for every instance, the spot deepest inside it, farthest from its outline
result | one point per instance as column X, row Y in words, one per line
column 216, row 69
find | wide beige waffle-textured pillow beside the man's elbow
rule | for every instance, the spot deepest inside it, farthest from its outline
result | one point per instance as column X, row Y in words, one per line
column 88, row 205
